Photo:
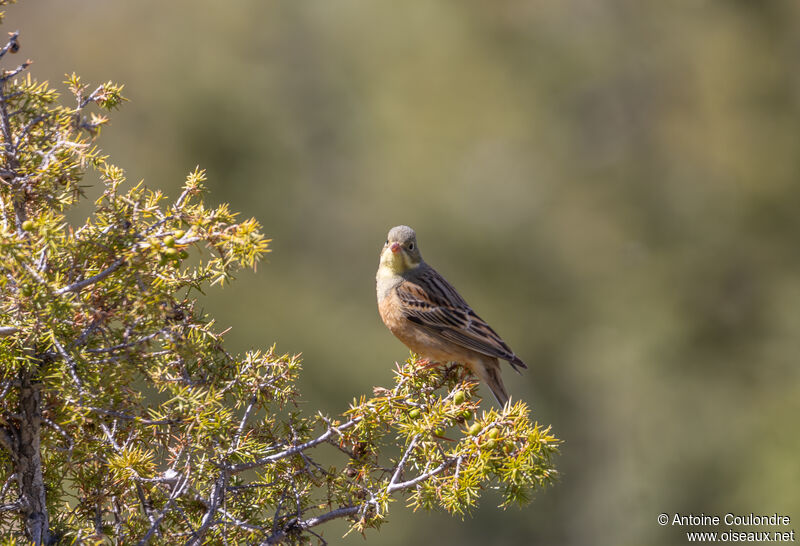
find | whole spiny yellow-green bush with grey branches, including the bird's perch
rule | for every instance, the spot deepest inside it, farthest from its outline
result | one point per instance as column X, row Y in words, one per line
column 151, row 431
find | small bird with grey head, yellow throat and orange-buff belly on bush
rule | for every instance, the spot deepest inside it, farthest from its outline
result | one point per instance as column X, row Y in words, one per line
column 431, row 318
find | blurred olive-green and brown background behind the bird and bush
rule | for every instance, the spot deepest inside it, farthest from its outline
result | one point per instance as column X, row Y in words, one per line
column 614, row 186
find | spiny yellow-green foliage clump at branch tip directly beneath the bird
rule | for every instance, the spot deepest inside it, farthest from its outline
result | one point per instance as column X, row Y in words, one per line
column 432, row 414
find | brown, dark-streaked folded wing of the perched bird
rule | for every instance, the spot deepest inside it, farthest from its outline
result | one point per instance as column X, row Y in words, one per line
column 430, row 301
